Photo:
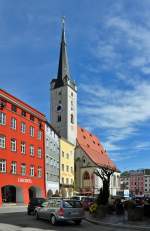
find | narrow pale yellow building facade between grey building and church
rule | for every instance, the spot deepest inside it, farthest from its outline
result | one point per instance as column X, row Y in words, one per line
column 66, row 168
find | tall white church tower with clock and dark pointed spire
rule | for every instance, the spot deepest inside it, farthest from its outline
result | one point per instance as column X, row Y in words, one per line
column 64, row 97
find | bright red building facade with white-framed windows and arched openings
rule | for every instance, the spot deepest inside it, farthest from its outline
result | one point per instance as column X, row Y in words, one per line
column 22, row 150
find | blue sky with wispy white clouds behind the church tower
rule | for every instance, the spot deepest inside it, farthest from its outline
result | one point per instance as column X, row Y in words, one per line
column 109, row 56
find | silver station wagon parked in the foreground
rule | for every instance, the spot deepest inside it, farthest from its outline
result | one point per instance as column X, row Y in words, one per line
column 58, row 209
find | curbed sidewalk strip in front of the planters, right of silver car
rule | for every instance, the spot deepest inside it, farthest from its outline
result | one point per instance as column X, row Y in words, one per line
column 119, row 221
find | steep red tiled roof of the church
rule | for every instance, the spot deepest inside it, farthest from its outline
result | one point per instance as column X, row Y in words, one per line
column 91, row 146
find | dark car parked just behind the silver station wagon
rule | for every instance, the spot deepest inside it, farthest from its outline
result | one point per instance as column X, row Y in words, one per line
column 34, row 202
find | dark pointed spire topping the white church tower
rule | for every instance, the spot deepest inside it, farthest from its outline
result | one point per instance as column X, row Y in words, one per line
column 63, row 68
